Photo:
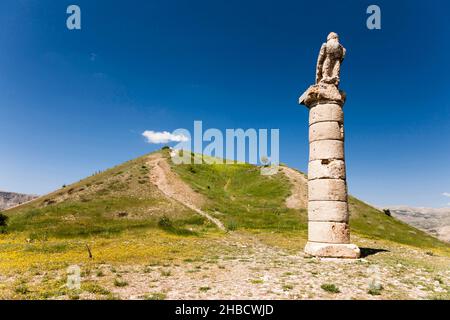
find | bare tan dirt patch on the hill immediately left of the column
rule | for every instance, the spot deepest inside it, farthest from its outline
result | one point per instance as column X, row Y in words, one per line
column 299, row 197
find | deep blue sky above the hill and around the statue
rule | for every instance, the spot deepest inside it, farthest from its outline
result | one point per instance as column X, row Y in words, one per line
column 74, row 102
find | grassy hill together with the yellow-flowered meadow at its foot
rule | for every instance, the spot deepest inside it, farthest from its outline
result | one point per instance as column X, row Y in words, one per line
column 119, row 217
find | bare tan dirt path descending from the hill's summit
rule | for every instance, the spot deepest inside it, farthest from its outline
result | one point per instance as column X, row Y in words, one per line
column 174, row 188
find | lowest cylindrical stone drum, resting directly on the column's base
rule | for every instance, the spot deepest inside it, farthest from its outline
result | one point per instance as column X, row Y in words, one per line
column 328, row 232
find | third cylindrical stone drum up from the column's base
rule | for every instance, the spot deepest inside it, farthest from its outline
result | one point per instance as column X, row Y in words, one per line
column 327, row 189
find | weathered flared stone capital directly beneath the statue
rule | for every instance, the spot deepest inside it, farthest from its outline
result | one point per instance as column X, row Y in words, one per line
column 322, row 93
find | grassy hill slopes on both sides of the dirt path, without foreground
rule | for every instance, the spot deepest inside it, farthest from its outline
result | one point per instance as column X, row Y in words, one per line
column 123, row 199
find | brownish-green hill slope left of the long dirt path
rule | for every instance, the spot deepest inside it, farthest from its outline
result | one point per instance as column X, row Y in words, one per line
column 105, row 204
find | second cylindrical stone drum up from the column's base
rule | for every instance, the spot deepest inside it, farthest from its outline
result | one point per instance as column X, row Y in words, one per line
column 336, row 211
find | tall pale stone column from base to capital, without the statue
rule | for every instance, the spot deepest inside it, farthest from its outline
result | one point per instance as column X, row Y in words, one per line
column 328, row 230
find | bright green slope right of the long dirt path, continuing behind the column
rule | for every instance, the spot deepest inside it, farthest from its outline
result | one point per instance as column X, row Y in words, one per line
column 249, row 200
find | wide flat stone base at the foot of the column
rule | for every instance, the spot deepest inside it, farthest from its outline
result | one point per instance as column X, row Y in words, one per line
column 332, row 250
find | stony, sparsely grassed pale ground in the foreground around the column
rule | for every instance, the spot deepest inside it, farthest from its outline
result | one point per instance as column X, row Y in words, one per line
column 249, row 266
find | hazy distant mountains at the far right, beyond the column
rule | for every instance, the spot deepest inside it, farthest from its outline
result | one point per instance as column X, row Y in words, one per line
column 431, row 220
